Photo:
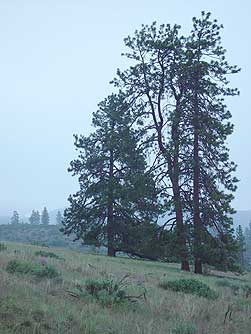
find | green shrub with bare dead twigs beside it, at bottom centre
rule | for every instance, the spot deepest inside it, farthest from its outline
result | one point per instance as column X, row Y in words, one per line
column 107, row 292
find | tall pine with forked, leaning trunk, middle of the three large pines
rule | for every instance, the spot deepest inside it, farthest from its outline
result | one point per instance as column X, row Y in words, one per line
column 153, row 86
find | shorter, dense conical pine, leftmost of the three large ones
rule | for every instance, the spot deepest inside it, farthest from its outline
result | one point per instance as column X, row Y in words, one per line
column 116, row 194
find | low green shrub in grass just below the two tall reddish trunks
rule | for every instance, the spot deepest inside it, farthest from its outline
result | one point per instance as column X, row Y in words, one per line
column 191, row 286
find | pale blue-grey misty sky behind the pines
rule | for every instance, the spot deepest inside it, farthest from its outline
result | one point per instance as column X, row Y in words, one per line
column 56, row 60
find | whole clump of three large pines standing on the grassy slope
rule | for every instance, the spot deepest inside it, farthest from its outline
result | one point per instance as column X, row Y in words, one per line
column 155, row 176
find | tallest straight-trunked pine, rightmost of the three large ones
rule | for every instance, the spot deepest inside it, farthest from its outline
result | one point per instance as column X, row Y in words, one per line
column 207, row 127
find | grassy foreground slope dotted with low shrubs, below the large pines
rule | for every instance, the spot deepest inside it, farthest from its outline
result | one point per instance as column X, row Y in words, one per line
column 55, row 291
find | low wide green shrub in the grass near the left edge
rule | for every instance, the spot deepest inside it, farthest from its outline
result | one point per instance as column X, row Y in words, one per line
column 34, row 269
